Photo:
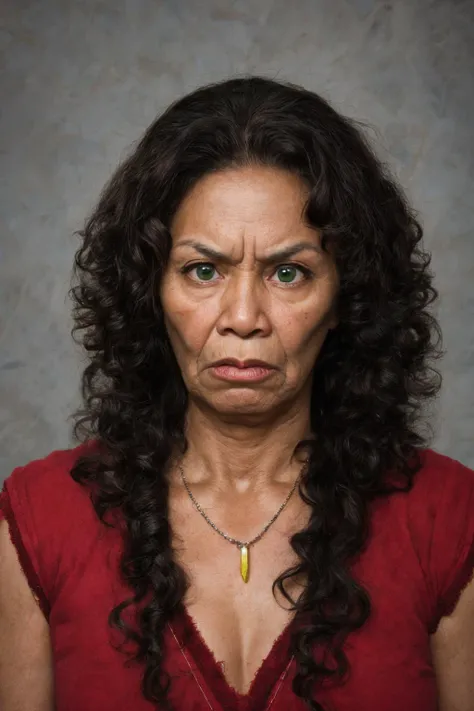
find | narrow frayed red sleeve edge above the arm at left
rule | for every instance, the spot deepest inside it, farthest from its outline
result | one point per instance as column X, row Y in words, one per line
column 17, row 538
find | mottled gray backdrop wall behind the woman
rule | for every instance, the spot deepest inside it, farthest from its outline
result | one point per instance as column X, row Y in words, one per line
column 81, row 80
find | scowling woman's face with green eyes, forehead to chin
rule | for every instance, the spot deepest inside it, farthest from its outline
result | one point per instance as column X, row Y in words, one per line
column 247, row 280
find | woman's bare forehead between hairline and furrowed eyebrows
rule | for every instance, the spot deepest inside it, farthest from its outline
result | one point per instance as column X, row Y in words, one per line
column 251, row 201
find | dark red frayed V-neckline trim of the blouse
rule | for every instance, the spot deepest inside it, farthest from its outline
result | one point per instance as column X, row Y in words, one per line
column 272, row 668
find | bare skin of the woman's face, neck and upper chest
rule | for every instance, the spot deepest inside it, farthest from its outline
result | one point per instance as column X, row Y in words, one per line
column 240, row 462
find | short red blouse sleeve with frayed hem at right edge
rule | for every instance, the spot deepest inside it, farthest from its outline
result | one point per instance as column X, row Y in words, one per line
column 450, row 548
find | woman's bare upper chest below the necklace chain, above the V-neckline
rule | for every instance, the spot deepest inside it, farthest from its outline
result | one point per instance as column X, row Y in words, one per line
column 239, row 622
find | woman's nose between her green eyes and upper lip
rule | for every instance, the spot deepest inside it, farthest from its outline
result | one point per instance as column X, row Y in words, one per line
column 243, row 307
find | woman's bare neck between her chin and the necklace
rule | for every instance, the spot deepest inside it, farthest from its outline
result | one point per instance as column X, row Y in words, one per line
column 231, row 455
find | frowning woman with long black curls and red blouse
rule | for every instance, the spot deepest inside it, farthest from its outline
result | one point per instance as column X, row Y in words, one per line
column 253, row 502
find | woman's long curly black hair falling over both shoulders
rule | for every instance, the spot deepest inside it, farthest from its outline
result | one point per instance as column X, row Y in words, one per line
column 371, row 378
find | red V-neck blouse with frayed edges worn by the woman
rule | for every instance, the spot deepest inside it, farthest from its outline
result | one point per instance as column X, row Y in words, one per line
column 419, row 558
